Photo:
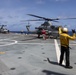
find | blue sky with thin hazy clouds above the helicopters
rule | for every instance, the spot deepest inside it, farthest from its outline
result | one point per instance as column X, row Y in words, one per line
column 13, row 13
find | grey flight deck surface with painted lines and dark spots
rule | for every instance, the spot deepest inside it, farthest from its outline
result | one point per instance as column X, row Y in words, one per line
column 22, row 54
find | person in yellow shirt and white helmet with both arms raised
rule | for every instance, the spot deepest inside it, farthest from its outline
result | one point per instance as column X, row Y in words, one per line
column 64, row 41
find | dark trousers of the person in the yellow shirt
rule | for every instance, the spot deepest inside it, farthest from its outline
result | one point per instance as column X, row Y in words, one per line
column 64, row 50
